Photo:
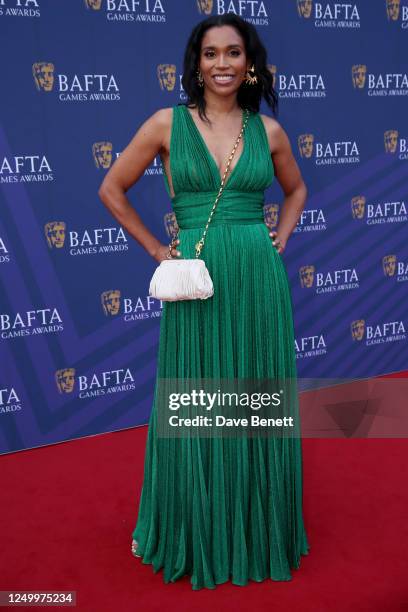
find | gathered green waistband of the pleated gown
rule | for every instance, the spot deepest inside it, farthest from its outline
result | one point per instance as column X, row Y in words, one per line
column 238, row 207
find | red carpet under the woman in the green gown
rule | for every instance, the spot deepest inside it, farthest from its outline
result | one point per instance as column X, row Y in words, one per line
column 68, row 511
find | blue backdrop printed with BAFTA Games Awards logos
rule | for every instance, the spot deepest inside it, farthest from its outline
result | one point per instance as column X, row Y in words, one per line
column 79, row 334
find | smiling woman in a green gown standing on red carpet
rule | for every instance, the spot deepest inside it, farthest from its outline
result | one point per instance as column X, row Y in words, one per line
column 220, row 508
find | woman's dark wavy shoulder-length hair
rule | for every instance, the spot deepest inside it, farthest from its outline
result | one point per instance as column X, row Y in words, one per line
column 248, row 96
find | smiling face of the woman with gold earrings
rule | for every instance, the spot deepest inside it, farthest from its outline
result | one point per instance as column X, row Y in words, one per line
column 223, row 61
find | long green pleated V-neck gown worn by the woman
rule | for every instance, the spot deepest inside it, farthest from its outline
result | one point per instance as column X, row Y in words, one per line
column 220, row 509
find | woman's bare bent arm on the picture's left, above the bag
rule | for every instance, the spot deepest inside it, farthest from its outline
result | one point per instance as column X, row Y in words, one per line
column 126, row 170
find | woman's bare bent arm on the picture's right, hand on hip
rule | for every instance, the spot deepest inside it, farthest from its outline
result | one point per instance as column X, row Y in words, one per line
column 290, row 179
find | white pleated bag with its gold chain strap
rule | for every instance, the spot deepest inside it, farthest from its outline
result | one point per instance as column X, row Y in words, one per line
column 188, row 279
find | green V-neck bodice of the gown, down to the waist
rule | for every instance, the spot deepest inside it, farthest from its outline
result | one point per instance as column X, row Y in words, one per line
column 196, row 178
